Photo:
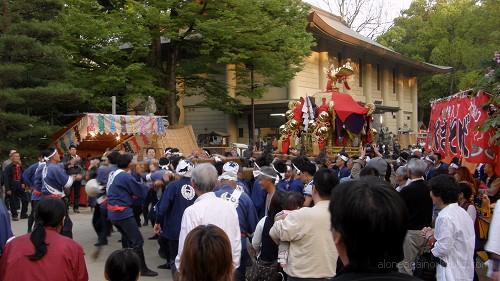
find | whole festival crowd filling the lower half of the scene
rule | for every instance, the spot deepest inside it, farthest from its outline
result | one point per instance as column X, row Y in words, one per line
column 350, row 217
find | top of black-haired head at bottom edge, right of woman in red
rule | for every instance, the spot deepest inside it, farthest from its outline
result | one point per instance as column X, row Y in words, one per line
column 122, row 265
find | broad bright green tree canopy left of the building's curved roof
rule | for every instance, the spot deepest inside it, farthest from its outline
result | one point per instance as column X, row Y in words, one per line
column 117, row 45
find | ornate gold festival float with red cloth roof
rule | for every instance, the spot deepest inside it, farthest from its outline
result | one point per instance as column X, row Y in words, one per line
column 330, row 121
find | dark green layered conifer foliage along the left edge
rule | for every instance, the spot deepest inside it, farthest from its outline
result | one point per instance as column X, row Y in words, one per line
column 34, row 86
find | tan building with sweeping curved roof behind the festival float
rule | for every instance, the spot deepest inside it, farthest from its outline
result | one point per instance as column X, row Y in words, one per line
column 381, row 76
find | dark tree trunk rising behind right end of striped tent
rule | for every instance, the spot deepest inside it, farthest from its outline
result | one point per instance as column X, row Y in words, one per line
column 171, row 84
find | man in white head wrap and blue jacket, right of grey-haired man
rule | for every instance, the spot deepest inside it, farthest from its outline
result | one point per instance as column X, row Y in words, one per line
column 247, row 215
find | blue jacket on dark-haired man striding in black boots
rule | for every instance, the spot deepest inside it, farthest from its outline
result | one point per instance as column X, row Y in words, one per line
column 122, row 192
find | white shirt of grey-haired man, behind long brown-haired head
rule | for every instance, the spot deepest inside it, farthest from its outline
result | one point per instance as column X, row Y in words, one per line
column 209, row 209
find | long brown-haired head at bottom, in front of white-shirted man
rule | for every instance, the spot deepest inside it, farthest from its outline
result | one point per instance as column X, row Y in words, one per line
column 206, row 255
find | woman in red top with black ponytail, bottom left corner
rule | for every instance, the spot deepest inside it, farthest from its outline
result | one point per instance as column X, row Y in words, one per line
column 44, row 254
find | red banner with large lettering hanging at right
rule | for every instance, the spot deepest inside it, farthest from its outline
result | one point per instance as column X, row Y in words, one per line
column 454, row 129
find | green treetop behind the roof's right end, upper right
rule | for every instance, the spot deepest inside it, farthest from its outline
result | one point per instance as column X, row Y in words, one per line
column 457, row 33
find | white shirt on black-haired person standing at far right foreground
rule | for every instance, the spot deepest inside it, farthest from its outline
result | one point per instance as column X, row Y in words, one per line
column 455, row 240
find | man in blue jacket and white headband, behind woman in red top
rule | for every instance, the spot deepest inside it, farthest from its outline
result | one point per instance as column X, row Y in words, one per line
column 55, row 182
